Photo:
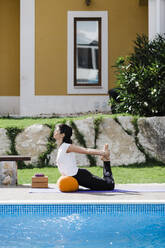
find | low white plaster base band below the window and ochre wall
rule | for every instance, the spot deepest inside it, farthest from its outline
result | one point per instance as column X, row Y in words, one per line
column 64, row 105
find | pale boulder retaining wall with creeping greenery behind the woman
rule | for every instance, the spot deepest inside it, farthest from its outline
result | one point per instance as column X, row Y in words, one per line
column 130, row 141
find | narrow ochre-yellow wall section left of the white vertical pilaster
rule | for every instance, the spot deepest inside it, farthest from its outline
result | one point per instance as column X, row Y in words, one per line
column 9, row 47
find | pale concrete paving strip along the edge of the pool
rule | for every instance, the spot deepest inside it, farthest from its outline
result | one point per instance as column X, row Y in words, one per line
column 139, row 193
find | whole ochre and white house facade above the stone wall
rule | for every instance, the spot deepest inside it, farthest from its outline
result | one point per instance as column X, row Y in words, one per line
column 56, row 57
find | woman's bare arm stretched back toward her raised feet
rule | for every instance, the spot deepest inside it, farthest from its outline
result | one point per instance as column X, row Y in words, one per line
column 82, row 150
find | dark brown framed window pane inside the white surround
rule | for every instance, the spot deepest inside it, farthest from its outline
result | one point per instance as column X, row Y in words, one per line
column 87, row 51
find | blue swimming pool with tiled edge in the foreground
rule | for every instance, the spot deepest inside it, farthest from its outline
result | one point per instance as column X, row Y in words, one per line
column 82, row 225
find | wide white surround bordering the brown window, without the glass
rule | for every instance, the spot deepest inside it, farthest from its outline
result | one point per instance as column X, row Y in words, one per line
column 103, row 89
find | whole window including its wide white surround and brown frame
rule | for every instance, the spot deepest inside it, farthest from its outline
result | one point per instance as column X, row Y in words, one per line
column 87, row 52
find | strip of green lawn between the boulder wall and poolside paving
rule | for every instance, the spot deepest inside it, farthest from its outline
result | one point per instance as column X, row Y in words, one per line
column 122, row 174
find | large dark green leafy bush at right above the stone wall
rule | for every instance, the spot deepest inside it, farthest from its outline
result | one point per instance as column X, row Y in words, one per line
column 141, row 79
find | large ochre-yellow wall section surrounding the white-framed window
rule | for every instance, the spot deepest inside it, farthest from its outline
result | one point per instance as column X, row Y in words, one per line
column 126, row 19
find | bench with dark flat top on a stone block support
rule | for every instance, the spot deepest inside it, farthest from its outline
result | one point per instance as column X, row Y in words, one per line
column 8, row 168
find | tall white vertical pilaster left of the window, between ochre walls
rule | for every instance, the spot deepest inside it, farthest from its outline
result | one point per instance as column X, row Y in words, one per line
column 27, row 55
